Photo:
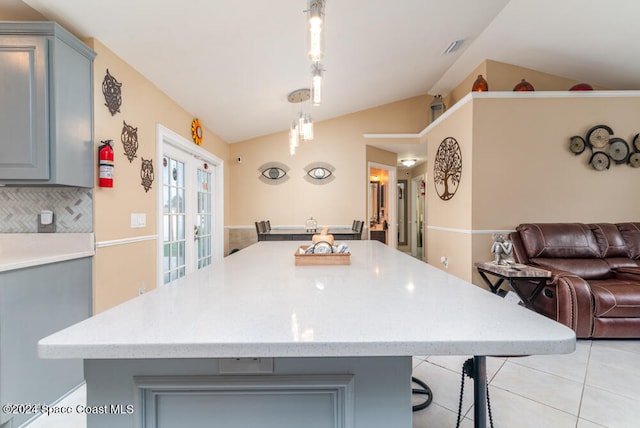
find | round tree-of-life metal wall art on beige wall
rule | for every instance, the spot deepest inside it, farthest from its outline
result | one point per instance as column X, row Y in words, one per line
column 447, row 168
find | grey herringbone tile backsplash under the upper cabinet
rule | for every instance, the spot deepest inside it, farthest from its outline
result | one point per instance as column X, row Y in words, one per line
column 20, row 206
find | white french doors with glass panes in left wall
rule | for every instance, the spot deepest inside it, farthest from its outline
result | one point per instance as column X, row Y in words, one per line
column 190, row 208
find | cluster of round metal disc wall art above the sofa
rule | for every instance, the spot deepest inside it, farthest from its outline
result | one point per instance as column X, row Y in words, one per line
column 605, row 148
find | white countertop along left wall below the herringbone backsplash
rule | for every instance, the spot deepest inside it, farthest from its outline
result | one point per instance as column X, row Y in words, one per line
column 21, row 250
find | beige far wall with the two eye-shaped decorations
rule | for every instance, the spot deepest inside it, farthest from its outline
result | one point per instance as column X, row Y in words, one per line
column 338, row 142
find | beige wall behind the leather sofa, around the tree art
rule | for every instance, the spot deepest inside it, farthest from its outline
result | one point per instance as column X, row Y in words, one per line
column 517, row 168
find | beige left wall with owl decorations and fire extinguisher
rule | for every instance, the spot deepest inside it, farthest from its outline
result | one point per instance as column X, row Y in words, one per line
column 121, row 270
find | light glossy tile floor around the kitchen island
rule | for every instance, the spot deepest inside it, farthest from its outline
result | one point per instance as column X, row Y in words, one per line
column 596, row 386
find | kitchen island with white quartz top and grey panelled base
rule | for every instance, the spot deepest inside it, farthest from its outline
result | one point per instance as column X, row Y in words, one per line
column 256, row 341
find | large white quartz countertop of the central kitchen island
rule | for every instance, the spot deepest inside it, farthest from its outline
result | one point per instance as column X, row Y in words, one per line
column 257, row 303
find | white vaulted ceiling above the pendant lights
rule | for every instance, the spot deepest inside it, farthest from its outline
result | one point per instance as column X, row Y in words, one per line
column 232, row 63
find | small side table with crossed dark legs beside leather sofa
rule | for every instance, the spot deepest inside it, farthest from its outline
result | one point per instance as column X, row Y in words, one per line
column 512, row 273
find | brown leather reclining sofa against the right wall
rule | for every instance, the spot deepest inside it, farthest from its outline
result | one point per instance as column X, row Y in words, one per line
column 595, row 275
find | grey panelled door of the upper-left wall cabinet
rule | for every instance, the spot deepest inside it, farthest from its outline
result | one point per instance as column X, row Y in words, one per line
column 24, row 136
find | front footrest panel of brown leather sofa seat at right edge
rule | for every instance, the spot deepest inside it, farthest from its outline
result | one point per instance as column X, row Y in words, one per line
column 615, row 298
